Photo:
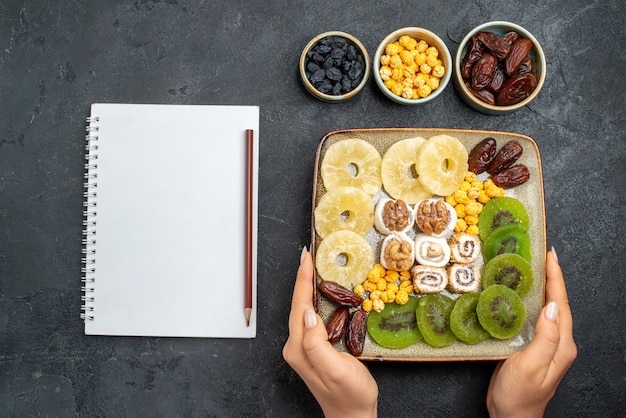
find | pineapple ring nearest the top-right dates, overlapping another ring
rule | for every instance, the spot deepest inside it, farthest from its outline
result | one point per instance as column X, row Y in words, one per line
column 442, row 164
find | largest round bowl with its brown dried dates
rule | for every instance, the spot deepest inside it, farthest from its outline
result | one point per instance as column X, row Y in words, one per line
column 499, row 67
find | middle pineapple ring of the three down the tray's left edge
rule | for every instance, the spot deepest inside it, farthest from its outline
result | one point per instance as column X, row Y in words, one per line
column 344, row 208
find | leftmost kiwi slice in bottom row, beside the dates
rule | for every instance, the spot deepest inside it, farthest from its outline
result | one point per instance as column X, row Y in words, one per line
column 395, row 326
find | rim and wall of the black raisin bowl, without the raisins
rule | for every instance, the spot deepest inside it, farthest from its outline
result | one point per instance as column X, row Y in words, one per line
column 305, row 73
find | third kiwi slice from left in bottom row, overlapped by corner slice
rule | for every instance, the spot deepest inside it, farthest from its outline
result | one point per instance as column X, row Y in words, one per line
column 464, row 320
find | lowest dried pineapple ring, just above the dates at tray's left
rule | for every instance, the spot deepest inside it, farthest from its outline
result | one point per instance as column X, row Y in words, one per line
column 344, row 257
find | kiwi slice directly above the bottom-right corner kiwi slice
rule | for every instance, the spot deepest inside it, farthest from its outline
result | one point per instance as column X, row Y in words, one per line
column 511, row 270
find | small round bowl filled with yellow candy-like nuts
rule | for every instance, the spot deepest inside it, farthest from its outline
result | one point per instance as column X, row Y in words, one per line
column 412, row 66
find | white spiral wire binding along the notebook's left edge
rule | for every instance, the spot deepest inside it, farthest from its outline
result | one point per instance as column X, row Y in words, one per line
column 90, row 195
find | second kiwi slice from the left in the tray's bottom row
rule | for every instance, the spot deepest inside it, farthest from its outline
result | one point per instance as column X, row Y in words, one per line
column 433, row 319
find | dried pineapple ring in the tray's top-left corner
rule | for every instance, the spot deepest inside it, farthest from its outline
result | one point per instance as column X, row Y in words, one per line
column 352, row 162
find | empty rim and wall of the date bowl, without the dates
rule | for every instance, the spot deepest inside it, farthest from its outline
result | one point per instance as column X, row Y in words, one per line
column 500, row 28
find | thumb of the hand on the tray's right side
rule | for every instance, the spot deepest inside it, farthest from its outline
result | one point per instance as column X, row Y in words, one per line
column 543, row 347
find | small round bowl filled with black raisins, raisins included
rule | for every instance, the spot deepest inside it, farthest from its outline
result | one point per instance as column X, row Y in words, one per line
column 334, row 66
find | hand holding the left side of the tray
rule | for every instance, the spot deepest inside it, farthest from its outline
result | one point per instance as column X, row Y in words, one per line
column 340, row 383
